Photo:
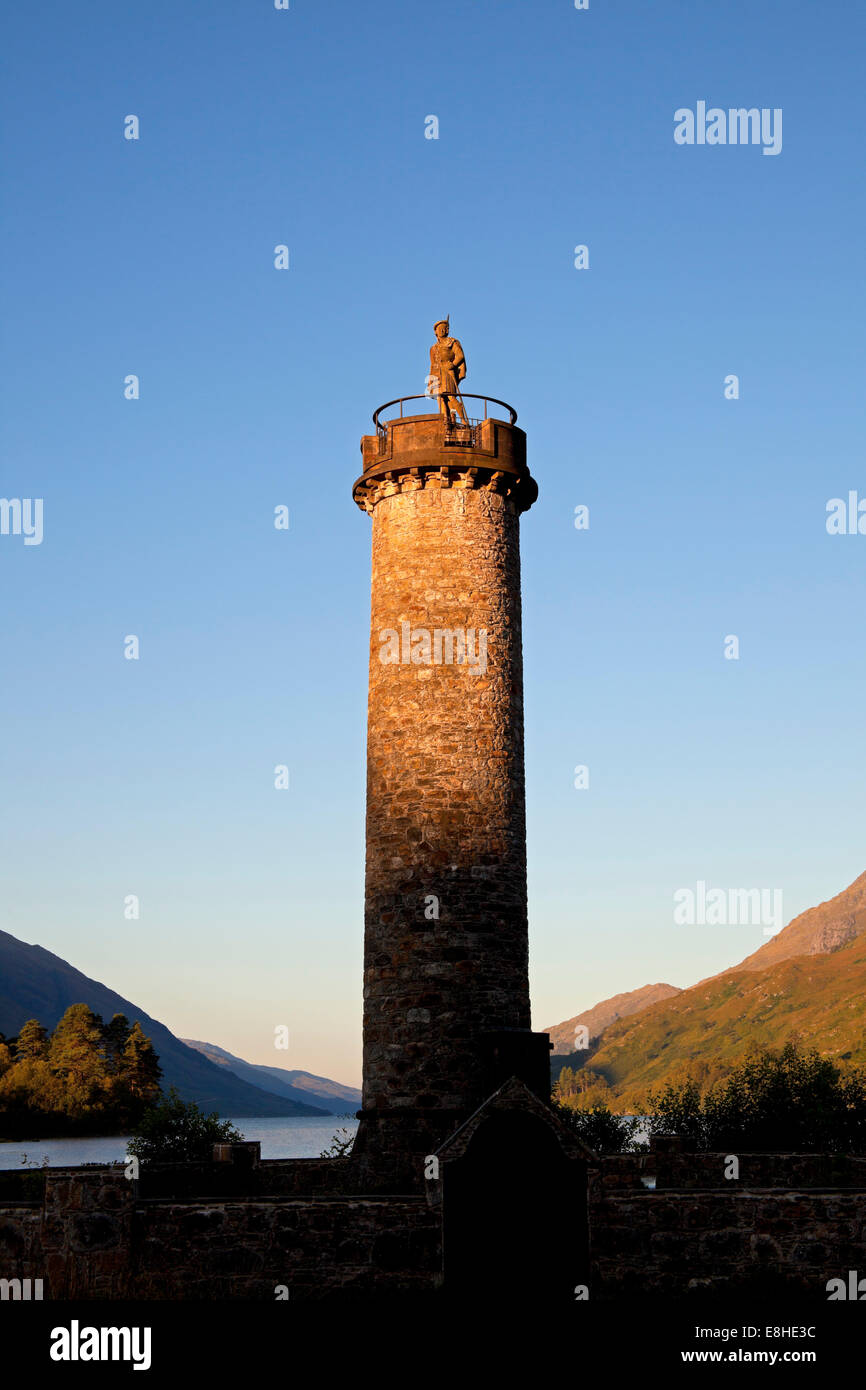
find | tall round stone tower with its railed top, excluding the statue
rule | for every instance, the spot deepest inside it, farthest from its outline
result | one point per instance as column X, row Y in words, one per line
column 447, row 999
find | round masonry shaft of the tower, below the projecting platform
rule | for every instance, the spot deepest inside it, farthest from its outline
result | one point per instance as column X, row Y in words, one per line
column 446, row 801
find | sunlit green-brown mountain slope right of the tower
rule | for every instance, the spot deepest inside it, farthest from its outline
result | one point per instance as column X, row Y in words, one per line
column 808, row 982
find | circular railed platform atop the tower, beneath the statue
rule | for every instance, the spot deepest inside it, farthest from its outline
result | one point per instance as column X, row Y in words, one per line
column 430, row 450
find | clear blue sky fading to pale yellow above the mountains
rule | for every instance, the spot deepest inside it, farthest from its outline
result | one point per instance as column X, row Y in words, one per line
column 156, row 258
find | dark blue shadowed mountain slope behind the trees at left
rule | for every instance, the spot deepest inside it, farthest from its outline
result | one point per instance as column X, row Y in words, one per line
column 38, row 985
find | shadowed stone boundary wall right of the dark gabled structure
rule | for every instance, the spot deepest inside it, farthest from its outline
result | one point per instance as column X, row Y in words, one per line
column 787, row 1225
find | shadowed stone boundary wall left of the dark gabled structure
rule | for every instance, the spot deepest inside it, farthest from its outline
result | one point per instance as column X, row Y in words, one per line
column 95, row 1236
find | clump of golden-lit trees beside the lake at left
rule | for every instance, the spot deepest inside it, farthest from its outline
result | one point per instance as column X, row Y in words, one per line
column 84, row 1078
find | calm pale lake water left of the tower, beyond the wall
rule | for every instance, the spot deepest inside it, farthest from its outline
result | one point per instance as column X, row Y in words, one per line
column 302, row 1136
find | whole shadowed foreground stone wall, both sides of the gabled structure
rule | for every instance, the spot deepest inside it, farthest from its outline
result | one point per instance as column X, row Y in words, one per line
column 799, row 1224
